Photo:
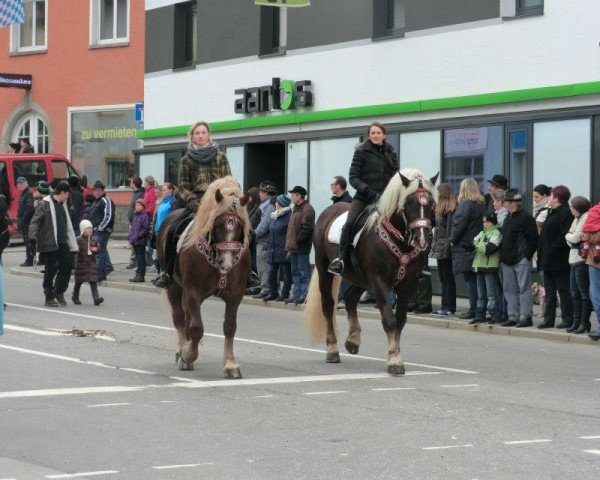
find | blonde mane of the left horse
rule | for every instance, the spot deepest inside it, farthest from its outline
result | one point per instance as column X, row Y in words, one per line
column 209, row 209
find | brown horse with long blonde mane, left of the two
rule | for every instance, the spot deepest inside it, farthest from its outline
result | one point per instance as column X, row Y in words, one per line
column 213, row 260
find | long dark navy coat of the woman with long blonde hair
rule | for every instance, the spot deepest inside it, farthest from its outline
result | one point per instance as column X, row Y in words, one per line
column 466, row 224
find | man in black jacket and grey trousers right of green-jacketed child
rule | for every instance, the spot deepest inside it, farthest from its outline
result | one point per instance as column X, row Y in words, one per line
column 519, row 243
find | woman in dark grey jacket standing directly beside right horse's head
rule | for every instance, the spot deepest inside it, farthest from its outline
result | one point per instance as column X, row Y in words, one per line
column 440, row 248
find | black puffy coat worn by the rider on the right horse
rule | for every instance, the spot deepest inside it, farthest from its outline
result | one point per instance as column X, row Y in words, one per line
column 370, row 172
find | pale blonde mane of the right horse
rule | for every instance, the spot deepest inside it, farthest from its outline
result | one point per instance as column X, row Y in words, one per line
column 395, row 194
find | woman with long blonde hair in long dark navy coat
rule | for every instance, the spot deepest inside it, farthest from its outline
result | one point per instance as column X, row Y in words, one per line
column 466, row 224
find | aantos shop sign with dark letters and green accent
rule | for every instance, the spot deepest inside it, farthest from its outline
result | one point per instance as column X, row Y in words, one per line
column 280, row 95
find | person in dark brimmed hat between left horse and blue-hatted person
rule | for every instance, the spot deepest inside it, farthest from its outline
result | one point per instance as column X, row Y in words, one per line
column 267, row 192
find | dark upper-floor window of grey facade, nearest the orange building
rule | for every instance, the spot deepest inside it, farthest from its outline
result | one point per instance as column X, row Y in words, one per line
column 185, row 53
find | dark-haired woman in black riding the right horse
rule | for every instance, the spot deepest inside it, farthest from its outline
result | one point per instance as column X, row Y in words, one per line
column 373, row 165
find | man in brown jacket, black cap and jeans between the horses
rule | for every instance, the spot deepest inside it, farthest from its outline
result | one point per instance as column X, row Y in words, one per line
column 298, row 242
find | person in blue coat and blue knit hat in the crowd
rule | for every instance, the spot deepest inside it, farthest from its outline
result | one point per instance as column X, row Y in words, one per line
column 276, row 254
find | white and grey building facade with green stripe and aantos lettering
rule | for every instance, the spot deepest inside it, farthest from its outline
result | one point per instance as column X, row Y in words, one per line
column 469, row 89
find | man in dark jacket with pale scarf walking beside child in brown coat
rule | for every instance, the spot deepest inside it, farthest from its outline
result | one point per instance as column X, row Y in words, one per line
column 53, row 233
